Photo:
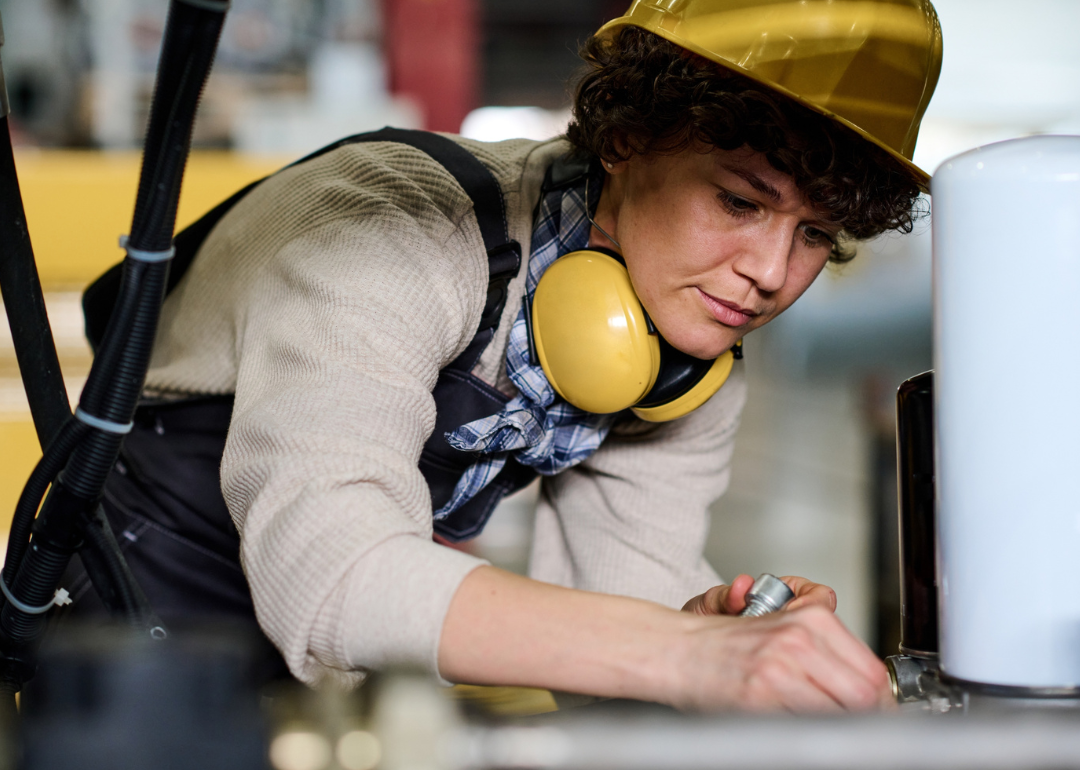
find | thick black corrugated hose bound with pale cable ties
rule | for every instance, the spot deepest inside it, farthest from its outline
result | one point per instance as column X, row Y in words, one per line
column 71, row 518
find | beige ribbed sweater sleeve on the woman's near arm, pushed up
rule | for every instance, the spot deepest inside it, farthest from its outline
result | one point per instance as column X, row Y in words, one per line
column 340, row 343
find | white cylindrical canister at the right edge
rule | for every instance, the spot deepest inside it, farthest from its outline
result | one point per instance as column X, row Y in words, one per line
column 1007, row 360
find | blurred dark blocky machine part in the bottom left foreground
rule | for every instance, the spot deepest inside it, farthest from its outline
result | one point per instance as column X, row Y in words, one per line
column 111, row 698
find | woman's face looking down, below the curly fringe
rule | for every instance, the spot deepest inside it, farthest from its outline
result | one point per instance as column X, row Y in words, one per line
column 717, row 244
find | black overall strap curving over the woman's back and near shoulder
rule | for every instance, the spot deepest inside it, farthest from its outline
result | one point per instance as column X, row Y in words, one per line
column 504, row 255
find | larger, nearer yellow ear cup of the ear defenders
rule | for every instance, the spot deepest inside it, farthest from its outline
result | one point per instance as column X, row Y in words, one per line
column 591, row 334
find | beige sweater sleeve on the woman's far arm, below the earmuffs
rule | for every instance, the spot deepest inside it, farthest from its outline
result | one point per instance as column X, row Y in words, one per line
column 633, row 519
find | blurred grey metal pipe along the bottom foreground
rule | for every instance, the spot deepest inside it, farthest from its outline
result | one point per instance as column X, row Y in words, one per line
column 884, row 742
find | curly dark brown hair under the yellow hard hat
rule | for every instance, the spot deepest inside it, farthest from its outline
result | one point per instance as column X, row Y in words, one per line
column 642, row 94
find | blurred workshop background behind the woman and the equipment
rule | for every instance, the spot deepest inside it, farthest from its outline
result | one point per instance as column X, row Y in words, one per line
column 814, row 485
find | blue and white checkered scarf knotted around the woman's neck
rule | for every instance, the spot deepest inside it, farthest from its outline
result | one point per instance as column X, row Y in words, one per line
column 537, row 427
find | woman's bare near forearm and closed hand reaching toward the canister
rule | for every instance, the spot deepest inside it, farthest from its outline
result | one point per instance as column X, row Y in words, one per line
column 503, row 629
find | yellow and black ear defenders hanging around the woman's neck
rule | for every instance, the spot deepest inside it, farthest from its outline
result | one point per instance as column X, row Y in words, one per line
column 601, row 352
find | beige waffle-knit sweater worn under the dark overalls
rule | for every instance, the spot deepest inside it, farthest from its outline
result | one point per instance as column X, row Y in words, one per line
column 328, row 301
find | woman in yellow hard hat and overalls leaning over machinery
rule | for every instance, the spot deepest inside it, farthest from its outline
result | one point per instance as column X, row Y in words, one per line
column 328, row 306
